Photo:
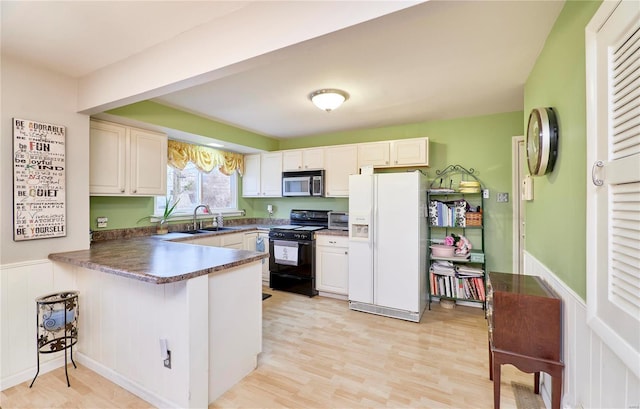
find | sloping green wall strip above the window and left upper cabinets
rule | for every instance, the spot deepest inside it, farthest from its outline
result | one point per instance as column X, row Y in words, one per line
column 162, row 115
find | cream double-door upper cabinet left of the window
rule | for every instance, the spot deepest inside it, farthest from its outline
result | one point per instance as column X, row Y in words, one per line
column 126, row 161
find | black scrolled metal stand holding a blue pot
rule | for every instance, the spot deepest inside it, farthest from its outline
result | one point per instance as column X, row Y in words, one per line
column 56, row 326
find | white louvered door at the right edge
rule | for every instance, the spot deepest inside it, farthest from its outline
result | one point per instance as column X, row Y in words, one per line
column 613, row 201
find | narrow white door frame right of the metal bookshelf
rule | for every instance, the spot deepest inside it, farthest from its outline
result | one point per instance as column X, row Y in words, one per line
column 517, row 174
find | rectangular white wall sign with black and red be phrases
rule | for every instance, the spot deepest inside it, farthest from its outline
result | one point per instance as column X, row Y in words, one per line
column 39, row 209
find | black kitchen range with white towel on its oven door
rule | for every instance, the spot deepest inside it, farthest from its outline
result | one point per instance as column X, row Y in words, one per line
column 292, row 255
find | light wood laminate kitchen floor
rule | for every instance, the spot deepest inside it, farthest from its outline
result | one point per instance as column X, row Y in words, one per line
column 319, row 354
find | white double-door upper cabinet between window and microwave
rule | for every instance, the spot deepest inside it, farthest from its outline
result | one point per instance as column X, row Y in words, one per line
column 262, row 175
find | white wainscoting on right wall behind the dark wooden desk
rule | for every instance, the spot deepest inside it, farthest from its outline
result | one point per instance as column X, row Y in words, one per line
column 594, row 377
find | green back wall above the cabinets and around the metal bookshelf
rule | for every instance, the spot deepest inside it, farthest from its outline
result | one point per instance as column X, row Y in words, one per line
column 482, row 143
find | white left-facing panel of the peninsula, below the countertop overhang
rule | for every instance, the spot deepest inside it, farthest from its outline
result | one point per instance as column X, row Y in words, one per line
column 121, row 325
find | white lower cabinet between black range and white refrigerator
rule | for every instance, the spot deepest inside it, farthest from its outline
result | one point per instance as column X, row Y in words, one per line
column 332, row 265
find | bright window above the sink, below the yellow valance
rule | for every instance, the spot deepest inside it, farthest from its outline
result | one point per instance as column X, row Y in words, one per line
column 193, row 187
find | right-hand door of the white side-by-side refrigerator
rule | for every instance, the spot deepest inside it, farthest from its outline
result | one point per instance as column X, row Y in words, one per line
column 397, row 241
